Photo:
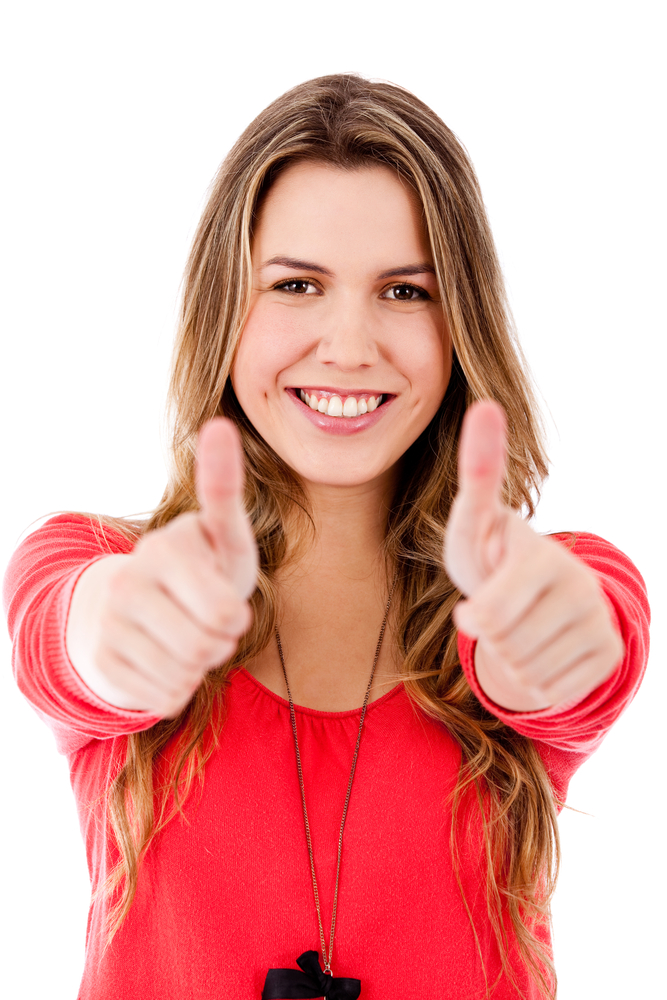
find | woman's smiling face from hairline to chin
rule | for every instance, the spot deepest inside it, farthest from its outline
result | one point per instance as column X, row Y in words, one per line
column 345, row 356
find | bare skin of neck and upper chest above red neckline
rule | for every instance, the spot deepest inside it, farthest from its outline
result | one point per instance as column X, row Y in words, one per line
column 332, row 593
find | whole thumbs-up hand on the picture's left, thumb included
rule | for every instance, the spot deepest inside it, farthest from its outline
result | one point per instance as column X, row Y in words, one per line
column 145, row 628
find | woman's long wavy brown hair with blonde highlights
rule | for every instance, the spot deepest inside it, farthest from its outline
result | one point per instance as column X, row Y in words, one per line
column 350, row 122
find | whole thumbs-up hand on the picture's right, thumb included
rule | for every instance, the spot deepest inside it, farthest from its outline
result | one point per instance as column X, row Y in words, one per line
column 545, row 633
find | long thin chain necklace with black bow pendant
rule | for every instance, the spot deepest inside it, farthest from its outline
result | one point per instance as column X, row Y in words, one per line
column 313, row 981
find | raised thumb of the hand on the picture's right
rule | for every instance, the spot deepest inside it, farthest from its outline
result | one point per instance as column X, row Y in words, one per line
column 482, row 453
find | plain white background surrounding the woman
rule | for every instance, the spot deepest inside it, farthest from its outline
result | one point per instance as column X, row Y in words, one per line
column 115, row 119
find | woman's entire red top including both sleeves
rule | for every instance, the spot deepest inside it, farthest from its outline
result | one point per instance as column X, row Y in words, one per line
column 227, row 895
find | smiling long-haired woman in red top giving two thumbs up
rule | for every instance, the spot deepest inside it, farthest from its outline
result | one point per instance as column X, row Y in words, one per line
column 322, row 709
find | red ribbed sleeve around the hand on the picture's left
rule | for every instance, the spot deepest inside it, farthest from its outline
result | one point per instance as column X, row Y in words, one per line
column 37, row 592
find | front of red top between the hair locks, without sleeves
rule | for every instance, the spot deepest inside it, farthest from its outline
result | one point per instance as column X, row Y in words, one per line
column 230, row 891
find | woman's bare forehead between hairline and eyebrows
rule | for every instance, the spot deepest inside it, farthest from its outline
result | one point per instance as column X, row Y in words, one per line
column 318, row 207
